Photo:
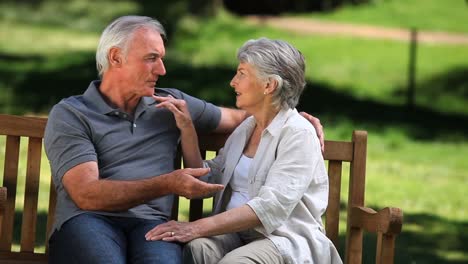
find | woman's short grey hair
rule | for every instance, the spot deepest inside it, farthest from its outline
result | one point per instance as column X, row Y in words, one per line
column 278, row 60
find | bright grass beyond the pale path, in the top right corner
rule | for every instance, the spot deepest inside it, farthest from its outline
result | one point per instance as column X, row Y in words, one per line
column 431, row 15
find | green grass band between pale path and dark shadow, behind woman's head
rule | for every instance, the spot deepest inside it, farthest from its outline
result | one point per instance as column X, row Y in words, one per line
column 366, row 69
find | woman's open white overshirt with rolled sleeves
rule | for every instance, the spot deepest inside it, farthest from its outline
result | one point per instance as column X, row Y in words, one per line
column 287, row 183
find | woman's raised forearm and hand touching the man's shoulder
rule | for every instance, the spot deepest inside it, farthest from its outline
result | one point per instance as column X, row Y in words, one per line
column 188, row 134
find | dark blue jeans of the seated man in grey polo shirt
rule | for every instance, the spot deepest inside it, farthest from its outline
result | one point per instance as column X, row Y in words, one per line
column 92, row 238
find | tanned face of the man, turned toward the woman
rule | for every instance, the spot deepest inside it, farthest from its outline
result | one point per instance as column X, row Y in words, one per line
column 143, row 63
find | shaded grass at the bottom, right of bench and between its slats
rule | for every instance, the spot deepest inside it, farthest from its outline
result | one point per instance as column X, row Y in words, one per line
column 425, row 238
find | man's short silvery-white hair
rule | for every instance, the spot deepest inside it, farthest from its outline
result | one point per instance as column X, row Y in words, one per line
column 118, row 33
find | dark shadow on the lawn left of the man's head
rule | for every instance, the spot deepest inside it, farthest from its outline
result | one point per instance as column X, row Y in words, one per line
column 37, row 84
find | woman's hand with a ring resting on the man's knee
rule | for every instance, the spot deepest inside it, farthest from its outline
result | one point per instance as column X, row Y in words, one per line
column 173, row 231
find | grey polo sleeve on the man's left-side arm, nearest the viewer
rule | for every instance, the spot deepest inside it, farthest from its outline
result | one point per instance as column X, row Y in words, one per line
column 67, row 141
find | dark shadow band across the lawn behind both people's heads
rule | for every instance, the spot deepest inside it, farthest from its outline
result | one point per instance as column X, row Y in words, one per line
column 37, row 84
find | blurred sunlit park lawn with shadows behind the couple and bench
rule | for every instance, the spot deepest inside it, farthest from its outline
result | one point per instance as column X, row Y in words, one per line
column 396, row 68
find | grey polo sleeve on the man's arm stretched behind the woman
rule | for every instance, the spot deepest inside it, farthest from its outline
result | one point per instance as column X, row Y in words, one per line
column 206, row 116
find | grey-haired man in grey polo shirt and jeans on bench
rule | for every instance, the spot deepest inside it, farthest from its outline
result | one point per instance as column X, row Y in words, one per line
column 111, row 153
